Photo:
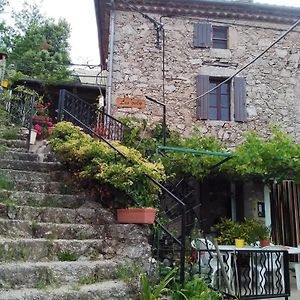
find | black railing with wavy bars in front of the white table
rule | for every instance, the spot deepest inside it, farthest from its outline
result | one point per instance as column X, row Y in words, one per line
column 247, row 273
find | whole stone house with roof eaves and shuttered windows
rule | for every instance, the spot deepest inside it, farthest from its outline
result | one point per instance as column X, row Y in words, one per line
column 176, row 51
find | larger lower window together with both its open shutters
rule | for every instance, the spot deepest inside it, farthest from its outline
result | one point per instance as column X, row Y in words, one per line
column 221, row 104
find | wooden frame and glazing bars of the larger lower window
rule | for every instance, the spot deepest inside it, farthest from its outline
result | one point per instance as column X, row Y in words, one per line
column 218, row 93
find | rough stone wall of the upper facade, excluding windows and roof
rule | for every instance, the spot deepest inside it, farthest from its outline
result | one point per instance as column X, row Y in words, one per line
column 273, row 96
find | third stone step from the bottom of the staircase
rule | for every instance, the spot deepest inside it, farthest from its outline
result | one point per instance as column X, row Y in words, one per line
column 32, row 250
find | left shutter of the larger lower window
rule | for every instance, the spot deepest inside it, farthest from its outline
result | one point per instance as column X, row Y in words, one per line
column 203, row 102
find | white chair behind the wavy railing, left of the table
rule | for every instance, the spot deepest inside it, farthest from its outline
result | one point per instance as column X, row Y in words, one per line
column 209, row 261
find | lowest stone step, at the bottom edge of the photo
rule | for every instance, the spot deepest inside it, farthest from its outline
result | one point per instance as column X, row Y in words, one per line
column 105, row 290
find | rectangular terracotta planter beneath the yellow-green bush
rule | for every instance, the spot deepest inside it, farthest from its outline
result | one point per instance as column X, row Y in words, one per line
column 136, row 215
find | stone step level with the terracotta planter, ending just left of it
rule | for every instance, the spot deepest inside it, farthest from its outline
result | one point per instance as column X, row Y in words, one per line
column 95, row 215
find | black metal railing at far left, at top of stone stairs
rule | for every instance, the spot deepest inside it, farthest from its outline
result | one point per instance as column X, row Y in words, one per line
column 20, row 107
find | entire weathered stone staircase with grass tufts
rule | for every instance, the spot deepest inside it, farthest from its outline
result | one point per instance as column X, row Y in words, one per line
column 55, row 243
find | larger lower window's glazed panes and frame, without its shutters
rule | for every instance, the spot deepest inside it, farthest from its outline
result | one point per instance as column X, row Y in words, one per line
column 219, row 101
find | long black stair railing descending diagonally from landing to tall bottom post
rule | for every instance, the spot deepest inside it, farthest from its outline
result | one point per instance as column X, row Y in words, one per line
column 80, row 113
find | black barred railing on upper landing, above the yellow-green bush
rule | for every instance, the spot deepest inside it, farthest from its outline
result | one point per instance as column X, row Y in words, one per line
column 97, row 120
